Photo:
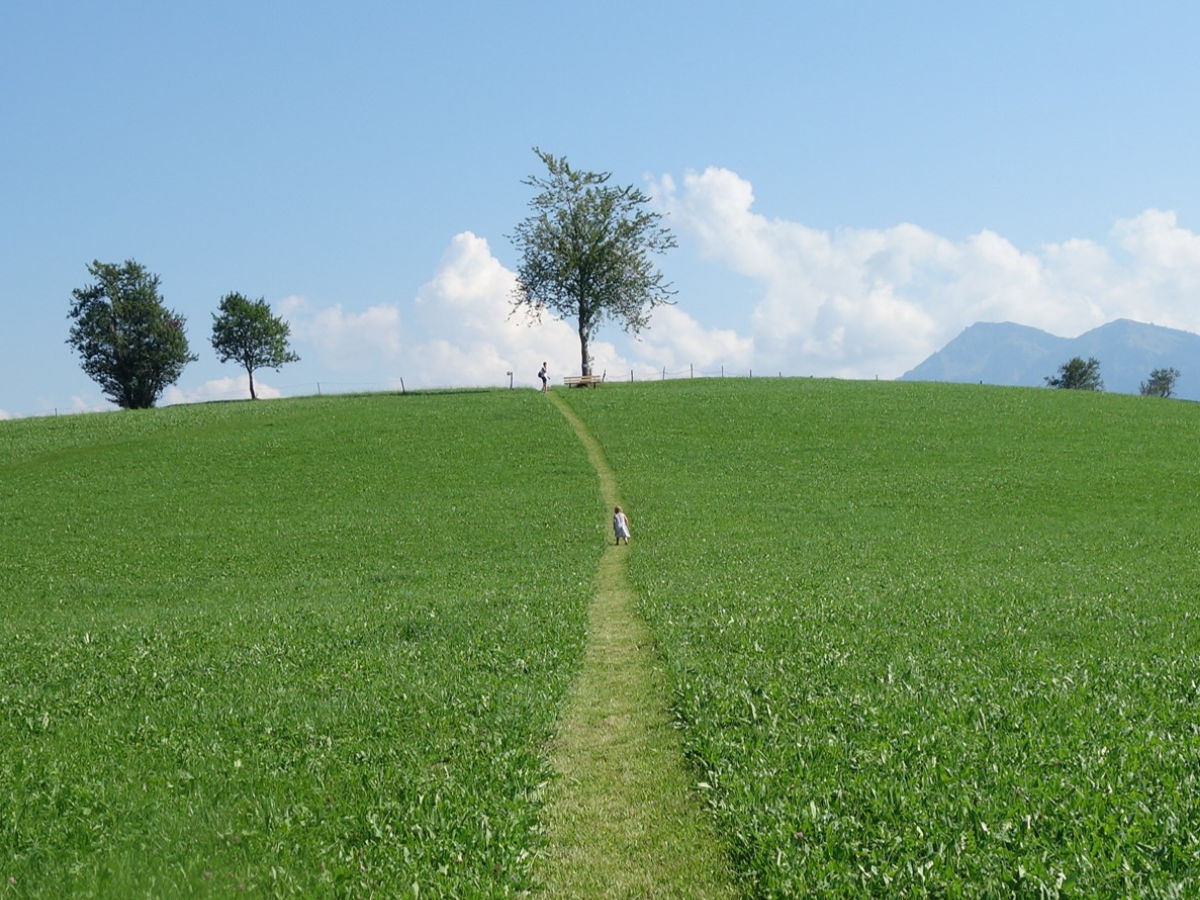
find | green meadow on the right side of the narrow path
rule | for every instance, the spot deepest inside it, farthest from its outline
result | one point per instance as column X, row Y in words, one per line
column 926, row 640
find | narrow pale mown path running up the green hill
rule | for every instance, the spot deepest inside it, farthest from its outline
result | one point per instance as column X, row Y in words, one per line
column 622, row 819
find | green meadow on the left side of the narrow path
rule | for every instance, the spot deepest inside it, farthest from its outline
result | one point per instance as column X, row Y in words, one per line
column 293, row 647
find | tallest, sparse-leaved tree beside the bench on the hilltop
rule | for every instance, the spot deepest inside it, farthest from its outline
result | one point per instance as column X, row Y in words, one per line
column 586, row 253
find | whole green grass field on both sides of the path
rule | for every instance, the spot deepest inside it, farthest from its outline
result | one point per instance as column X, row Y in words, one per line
column 923, row 640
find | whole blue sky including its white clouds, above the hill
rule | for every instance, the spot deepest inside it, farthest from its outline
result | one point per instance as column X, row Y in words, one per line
column 851, row 184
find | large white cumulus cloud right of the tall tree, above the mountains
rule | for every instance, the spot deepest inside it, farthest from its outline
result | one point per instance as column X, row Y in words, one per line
column 863, row 303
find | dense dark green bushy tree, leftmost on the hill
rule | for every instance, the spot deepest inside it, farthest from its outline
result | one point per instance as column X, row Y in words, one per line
column 129, row 343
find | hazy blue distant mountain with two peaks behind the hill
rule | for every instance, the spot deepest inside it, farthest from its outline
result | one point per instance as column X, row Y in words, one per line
column 1006, row 353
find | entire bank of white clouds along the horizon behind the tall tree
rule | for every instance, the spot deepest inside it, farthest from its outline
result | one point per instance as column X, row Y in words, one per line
column 847, row 303
